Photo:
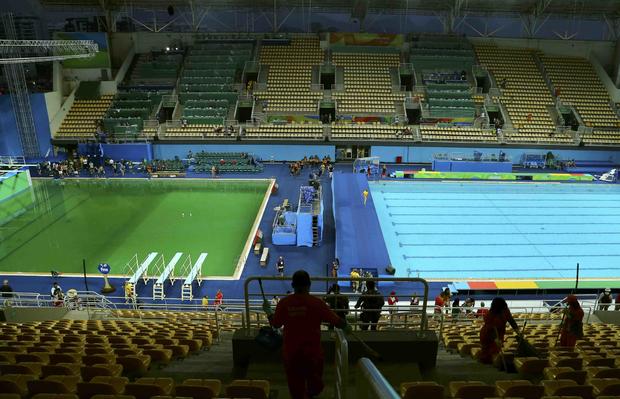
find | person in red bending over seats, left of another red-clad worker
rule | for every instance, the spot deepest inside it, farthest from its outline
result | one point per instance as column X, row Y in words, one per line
column 494, row 329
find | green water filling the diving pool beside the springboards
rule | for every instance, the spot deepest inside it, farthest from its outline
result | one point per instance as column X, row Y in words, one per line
column 108, row 221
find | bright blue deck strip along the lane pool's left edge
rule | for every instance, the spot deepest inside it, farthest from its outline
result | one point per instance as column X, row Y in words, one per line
column 359, row 240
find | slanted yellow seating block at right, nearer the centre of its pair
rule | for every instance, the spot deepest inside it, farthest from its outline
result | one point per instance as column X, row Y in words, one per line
column 525, row 95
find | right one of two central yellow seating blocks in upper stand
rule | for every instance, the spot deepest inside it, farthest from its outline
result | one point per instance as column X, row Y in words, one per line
column 367, row 83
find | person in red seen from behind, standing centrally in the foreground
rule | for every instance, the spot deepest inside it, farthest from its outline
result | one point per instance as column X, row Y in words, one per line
column 301, row 314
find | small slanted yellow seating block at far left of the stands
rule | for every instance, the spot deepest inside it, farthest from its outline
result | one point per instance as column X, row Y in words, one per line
column 82, row 119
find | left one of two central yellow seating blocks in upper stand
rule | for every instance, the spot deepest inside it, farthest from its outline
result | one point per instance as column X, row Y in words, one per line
column 290, row 76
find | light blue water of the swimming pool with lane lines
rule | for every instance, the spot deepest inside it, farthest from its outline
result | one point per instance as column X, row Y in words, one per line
column 461, row 230
